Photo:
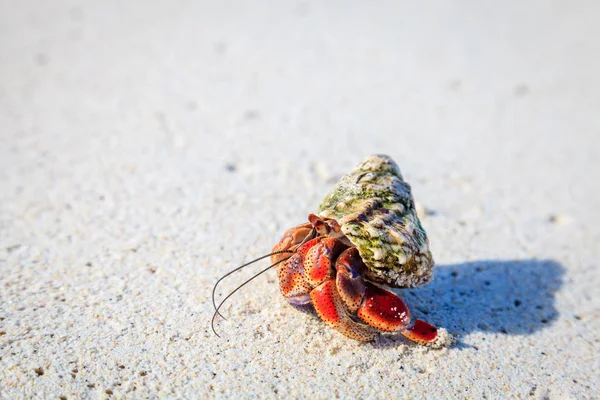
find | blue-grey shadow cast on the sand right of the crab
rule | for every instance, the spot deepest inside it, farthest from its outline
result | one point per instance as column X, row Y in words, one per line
column 512, row 297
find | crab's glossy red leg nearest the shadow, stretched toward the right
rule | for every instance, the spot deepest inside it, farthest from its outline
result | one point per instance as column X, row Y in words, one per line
column 377, row 307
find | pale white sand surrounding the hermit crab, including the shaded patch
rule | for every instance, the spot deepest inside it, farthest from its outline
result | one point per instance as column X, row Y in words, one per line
column 147, row 148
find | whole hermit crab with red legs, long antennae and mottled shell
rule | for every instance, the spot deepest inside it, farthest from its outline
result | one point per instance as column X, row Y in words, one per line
column 365, row 239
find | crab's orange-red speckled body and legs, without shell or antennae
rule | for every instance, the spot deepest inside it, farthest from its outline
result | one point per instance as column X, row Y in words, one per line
column 327, row 271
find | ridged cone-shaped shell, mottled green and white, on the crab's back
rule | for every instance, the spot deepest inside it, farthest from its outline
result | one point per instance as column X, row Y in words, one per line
column 376, row 211
